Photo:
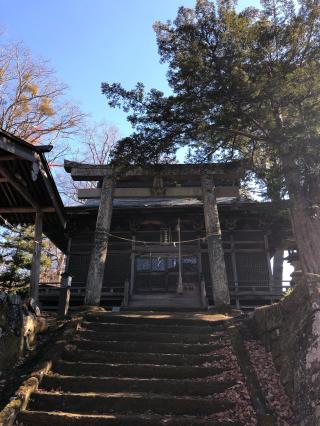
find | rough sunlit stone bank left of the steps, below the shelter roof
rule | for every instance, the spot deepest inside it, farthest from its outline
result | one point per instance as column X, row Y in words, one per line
column 19, row 325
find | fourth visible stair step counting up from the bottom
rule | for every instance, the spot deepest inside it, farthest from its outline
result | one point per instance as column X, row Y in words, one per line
column 138, row 370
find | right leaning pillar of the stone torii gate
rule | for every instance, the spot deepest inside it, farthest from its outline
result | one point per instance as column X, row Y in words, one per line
column 216, row 256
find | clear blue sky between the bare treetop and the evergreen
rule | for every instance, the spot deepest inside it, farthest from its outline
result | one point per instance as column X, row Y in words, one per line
column 88, row 42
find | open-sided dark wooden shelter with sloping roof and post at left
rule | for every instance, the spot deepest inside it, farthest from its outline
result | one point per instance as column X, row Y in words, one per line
column 28, row 195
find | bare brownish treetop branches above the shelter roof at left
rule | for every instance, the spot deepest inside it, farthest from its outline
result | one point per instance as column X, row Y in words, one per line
column 32, row 102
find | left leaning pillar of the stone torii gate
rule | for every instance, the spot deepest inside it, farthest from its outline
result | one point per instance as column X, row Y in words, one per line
column 100, row 245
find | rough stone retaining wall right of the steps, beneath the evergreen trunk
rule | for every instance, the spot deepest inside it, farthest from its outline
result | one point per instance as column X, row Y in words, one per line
column 290, row 329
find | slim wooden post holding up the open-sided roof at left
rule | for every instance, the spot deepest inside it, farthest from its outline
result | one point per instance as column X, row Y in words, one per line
column 36, row 257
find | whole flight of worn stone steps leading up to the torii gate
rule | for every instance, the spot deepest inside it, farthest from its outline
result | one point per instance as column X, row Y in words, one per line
column 140, row 369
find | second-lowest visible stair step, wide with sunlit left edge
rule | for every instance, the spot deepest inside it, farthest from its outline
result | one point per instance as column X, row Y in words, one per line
column 126, row 402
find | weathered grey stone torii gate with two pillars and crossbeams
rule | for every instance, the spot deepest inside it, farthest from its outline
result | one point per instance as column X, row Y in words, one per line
column 109, row 177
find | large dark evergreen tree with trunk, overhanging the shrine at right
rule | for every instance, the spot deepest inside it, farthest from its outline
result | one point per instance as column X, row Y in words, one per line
column 245, row 85
